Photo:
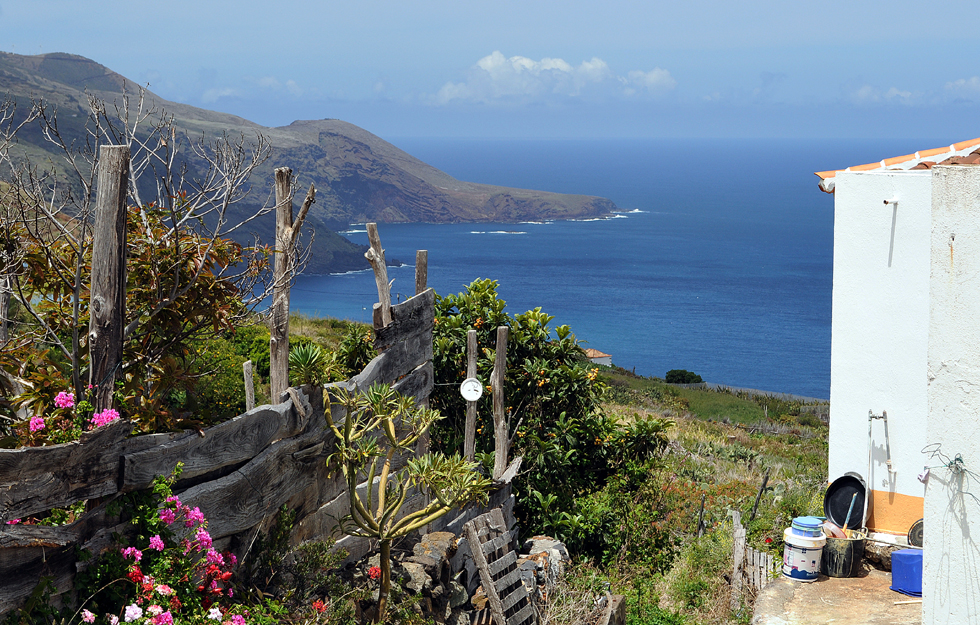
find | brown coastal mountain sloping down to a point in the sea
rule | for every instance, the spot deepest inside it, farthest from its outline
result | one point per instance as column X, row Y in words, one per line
column 359, row 177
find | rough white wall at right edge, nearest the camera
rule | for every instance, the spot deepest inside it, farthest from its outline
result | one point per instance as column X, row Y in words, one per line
column 950, row 581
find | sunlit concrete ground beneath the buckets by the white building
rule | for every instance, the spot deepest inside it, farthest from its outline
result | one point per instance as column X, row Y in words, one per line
column 864, row 600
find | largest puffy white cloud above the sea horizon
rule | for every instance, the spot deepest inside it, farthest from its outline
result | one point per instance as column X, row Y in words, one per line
column 496, row 78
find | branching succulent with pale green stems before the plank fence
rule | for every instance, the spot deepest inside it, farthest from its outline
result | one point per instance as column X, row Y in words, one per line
column 380, row 425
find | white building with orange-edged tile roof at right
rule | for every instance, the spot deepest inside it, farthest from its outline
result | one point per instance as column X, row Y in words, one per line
column 906, row 342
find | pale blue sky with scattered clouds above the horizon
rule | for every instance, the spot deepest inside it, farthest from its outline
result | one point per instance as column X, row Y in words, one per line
column 541, row 68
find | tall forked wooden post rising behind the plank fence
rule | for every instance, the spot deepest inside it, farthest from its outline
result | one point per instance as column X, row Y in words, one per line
column 287, row 232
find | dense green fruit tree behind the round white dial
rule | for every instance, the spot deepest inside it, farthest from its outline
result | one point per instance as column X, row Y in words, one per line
column 552, row 399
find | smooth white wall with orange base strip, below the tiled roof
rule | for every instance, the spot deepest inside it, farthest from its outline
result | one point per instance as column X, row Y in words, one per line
column 879, row 341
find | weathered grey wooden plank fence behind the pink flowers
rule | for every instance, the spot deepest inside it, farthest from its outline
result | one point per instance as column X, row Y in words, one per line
column 239, row 473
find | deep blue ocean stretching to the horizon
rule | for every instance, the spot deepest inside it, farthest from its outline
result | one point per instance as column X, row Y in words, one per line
column 720, row 263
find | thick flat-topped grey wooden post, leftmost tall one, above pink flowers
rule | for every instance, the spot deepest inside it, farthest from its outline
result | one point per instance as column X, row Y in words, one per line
column 107, row 305
